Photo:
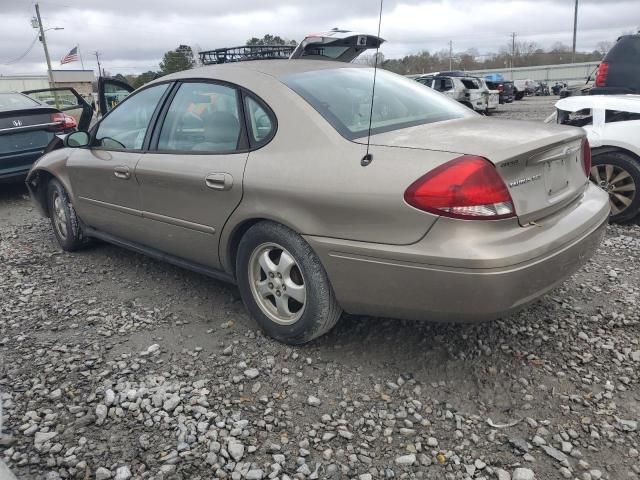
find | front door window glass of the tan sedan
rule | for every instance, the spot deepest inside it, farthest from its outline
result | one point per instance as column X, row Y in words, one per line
column 126, row 126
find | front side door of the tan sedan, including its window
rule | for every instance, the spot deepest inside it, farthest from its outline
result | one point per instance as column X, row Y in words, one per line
column 103, row 174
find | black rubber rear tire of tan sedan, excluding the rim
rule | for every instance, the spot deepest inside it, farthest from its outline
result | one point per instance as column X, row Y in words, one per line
column 320, row 300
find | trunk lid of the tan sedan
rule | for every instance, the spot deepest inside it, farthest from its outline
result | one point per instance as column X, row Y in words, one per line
column 540, row 164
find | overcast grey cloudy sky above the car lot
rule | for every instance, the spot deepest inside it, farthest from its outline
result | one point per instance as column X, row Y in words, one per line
column 132, row 35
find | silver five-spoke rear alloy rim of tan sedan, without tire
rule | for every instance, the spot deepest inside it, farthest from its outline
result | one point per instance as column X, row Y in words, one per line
column 277, row 283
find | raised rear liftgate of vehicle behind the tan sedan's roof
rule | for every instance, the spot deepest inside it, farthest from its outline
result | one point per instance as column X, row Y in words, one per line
column 340, row 45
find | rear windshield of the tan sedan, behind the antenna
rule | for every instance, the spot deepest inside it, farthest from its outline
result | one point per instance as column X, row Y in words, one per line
column 343, row 97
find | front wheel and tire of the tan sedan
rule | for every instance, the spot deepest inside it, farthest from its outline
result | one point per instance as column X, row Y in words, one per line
column 65, row 222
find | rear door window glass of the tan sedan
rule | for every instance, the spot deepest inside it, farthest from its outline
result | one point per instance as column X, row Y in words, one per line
column 203, row 117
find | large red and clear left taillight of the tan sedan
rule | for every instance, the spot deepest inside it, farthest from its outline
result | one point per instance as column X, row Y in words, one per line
column 467, row 187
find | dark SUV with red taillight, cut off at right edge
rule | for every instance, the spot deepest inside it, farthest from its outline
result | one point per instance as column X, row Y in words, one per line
column 619, row 72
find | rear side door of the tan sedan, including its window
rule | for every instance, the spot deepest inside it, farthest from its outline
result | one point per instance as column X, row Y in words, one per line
column 192, row 183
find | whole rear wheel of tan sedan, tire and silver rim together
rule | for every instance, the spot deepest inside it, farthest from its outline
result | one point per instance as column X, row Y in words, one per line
column 283, row 284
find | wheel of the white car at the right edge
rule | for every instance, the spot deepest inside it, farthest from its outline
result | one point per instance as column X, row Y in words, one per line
column 618, row 174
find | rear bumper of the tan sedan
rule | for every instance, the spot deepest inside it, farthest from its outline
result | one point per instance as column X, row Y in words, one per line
column 466, row 277
